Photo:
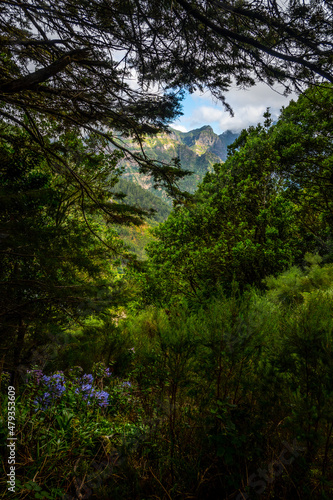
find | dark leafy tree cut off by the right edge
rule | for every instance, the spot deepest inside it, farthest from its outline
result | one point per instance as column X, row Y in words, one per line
column 303, row 140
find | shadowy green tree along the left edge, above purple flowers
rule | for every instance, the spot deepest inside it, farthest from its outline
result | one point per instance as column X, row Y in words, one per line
column 54, row 268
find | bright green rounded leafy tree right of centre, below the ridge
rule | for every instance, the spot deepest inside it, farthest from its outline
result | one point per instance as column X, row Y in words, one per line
column 244, row 224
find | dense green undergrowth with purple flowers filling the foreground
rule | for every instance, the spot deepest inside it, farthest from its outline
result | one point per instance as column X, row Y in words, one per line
column 210, row 403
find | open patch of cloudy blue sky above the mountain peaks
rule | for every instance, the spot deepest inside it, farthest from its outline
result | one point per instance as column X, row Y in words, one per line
column 248, row 105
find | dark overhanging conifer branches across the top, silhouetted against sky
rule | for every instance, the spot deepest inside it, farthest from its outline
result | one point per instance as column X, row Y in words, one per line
column 72, row 61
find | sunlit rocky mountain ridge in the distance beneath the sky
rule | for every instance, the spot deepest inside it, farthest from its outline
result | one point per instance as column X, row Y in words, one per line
column 198, row 151
